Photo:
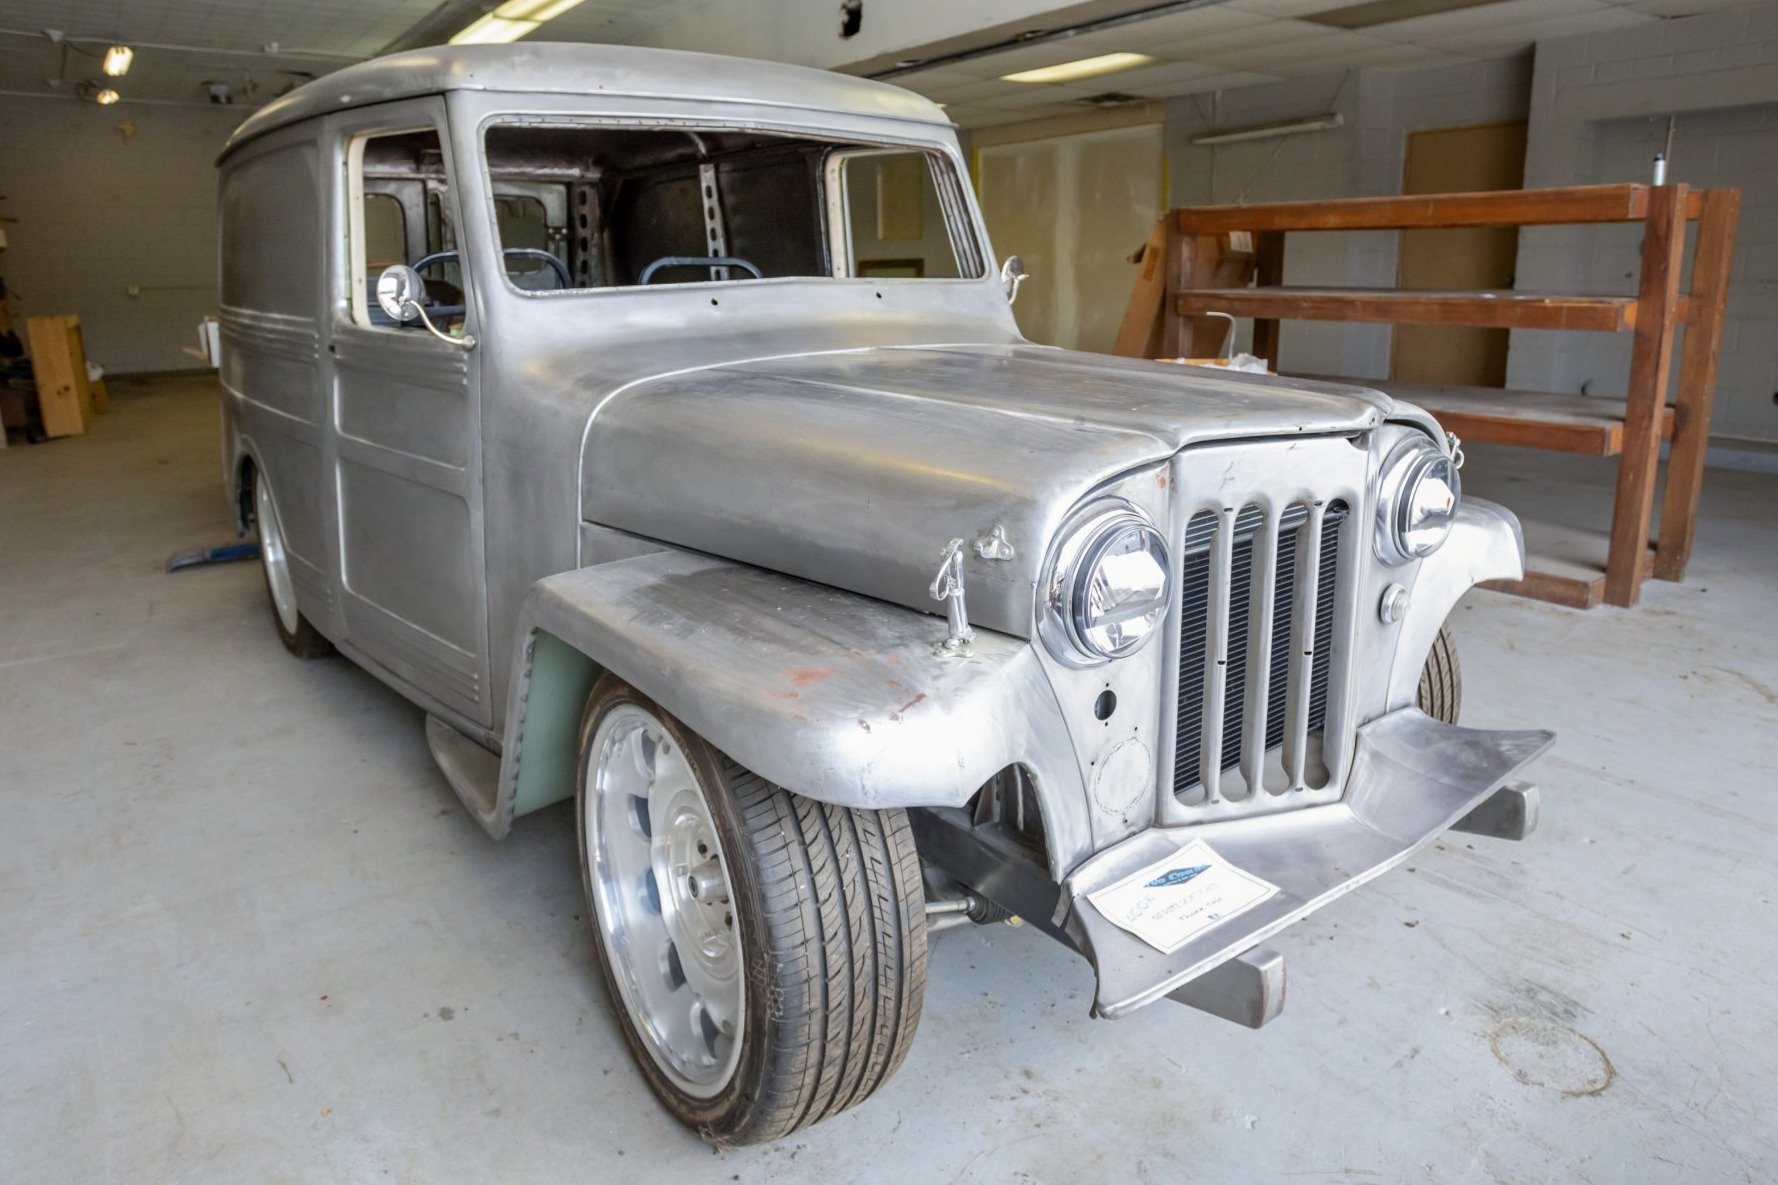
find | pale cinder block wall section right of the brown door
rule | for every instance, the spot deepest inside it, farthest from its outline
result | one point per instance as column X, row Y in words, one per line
column 1599, row 113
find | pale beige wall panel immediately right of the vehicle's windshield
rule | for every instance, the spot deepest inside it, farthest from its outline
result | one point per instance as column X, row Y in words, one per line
column 1075, row 207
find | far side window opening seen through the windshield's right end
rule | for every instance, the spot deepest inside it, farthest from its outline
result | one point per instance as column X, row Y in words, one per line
column 895, row 218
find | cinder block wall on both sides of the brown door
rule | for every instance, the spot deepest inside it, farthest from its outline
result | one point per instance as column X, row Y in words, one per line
column 1598, row 109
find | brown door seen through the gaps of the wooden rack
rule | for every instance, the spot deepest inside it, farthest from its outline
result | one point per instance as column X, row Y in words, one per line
column 1455, row 161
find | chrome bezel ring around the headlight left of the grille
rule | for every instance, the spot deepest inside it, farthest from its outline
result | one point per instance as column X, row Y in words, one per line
column 1087, row 542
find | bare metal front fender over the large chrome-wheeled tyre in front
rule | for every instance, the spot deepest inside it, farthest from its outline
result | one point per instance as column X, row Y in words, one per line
column 831, row 695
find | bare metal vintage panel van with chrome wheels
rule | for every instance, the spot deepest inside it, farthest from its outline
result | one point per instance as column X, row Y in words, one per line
column 659, row 424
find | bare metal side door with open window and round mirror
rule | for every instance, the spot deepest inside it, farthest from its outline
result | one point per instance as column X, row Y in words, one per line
column 406, row 437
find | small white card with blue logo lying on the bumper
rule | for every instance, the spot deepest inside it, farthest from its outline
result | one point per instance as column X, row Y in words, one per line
column 1176, row 899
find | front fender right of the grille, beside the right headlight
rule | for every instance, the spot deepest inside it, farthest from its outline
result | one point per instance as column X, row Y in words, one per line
column 1486, row 545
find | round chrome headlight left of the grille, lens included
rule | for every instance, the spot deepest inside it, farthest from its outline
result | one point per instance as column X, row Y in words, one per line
column 1107, row 588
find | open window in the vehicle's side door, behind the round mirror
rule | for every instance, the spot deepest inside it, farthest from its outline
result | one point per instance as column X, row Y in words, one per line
column 396, row 177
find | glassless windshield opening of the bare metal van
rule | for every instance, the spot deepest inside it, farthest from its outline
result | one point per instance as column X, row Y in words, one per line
column 600, row 207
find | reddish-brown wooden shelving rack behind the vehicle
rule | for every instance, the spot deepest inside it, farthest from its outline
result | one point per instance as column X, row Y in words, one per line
column 1196, row 246
